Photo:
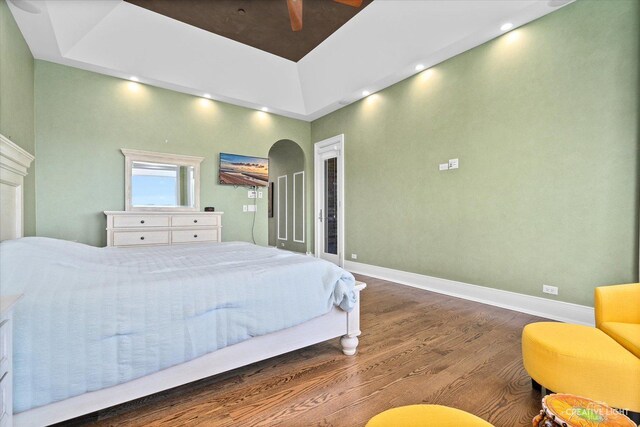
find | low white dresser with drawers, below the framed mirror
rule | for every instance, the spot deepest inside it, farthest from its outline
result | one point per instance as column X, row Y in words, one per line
column 150, row 228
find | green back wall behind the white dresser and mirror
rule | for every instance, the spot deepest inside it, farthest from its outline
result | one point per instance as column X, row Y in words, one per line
column 84, row 118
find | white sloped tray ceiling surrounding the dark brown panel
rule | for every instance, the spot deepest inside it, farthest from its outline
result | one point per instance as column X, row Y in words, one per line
column 380, row 46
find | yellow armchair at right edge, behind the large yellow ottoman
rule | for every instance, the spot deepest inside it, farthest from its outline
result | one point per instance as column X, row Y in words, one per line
column 617, row 310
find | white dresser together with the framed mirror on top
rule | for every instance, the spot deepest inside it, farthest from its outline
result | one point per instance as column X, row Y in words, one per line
column 162, row 203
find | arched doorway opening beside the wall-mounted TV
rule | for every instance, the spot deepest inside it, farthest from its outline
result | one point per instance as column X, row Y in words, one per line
column 287, row 196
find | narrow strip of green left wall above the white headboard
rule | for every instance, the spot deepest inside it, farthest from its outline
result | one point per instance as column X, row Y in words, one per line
column 16, row 102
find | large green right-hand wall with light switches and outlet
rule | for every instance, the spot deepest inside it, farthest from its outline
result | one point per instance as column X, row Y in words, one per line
column 544, row 121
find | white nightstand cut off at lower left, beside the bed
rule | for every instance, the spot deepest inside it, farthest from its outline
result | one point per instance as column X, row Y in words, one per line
column 6, row 351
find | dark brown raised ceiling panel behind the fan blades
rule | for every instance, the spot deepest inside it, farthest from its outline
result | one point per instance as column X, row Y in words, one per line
column 263, row 24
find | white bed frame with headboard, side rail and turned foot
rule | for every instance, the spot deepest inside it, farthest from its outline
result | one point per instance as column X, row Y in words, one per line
column 337, row 323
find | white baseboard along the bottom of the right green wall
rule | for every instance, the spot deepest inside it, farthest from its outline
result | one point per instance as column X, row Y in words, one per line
column 542, row 307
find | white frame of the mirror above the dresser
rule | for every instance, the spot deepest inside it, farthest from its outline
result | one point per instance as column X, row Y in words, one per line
column 131, row 156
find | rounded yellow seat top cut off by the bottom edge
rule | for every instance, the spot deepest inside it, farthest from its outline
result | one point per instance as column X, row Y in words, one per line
column 426, row 415
